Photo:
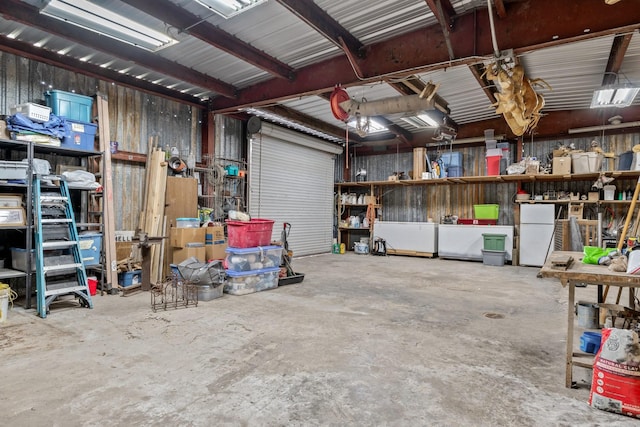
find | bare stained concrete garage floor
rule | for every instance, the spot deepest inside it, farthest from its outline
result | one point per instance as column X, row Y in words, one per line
column 363, row 340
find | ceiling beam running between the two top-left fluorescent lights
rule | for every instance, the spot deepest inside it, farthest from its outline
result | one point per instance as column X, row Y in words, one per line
column 178, row 17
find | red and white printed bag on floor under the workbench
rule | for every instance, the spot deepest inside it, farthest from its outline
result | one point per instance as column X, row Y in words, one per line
column 615, row 386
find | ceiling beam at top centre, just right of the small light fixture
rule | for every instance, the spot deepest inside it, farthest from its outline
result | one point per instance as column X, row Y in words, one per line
column 318, row 19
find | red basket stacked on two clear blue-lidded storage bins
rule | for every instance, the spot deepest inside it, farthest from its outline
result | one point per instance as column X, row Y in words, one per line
column 252, row 264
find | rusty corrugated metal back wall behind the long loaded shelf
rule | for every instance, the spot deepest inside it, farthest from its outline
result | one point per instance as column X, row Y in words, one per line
column 421, row 202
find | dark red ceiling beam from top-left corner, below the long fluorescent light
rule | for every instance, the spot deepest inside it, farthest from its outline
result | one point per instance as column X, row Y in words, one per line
column 29, row 15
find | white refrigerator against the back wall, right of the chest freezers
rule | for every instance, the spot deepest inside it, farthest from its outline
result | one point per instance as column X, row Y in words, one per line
column 536, row 233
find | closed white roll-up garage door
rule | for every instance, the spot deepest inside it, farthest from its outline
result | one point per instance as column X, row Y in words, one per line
column 291, row 180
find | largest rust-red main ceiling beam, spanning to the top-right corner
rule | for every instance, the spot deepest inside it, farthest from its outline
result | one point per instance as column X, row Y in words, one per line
column 424, row 49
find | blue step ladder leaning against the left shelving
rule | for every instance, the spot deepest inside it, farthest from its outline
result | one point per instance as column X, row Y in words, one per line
column 59, row 267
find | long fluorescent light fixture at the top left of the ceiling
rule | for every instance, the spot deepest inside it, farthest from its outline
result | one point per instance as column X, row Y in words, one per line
column 91, row 17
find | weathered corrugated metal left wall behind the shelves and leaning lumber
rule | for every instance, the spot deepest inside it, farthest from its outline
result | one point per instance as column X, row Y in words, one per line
column 134, row 117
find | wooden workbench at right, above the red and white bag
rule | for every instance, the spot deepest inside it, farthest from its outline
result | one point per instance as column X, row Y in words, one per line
column 587, row 274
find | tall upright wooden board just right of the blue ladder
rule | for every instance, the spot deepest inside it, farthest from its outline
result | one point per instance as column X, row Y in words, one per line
column 109, row 228
